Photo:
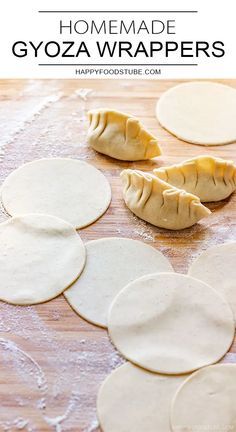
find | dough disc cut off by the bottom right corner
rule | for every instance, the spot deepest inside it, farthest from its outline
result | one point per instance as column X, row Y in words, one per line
column 206, row 401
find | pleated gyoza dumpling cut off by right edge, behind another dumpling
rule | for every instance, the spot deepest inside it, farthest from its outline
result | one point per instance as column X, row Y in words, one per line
column 210, row 178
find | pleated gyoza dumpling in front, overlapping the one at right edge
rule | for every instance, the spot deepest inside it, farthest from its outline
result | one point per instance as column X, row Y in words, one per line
column 159, row 203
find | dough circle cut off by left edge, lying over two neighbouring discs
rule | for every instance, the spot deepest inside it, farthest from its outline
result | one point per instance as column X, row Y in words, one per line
column 40, row 256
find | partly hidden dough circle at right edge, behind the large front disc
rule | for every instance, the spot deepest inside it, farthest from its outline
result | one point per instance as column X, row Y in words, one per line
column 216, row 266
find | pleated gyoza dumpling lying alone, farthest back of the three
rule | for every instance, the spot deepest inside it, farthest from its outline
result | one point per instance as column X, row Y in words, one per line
column 120, row 136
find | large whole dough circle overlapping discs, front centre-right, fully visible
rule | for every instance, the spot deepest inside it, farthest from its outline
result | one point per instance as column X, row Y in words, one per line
column 171, row 323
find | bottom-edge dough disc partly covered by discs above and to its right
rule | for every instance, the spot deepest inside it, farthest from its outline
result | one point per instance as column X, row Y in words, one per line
column 134, row 400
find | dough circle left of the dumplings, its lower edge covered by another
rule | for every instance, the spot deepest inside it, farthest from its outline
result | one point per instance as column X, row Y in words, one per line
column 67, row 188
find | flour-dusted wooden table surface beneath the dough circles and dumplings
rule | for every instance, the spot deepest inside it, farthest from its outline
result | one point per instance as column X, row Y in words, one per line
column 52, row 361
